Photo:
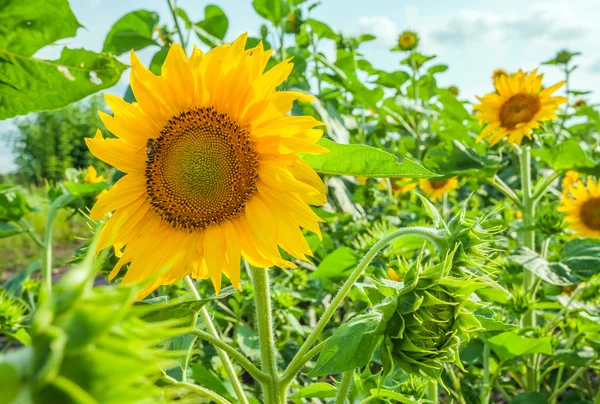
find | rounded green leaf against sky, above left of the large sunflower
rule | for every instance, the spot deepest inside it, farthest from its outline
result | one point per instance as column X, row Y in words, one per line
column 132, row 31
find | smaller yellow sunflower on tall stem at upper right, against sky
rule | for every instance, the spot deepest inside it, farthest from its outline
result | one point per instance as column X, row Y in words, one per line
column 517, row 108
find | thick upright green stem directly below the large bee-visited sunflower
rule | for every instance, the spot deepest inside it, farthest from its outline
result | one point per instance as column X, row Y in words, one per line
column 272, row 389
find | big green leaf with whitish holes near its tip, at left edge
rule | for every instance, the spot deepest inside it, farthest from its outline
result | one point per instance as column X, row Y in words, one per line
column 30, row 84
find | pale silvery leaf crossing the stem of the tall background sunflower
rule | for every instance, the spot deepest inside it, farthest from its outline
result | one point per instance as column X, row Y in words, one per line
column 555, row 273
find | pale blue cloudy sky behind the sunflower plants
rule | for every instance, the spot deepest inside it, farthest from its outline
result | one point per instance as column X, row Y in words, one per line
column 472, row 37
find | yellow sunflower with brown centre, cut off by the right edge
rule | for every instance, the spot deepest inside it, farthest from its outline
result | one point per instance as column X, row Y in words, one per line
column 582, row 206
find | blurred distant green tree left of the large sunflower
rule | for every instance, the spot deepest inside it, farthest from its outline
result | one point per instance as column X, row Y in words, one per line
column 49, row 142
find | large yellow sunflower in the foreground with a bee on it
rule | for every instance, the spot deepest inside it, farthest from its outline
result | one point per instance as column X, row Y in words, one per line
column 212, row 169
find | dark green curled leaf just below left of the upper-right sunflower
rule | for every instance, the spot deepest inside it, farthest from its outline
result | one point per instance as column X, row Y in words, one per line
column 454, row 158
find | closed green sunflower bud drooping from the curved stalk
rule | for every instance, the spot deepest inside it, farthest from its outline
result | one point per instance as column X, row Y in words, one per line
column 427, row 316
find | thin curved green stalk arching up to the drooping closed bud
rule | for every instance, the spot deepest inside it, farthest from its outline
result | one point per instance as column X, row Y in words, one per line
column 298, row 362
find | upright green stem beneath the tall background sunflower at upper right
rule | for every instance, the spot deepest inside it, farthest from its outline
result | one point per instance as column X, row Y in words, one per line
column 528, row 240
